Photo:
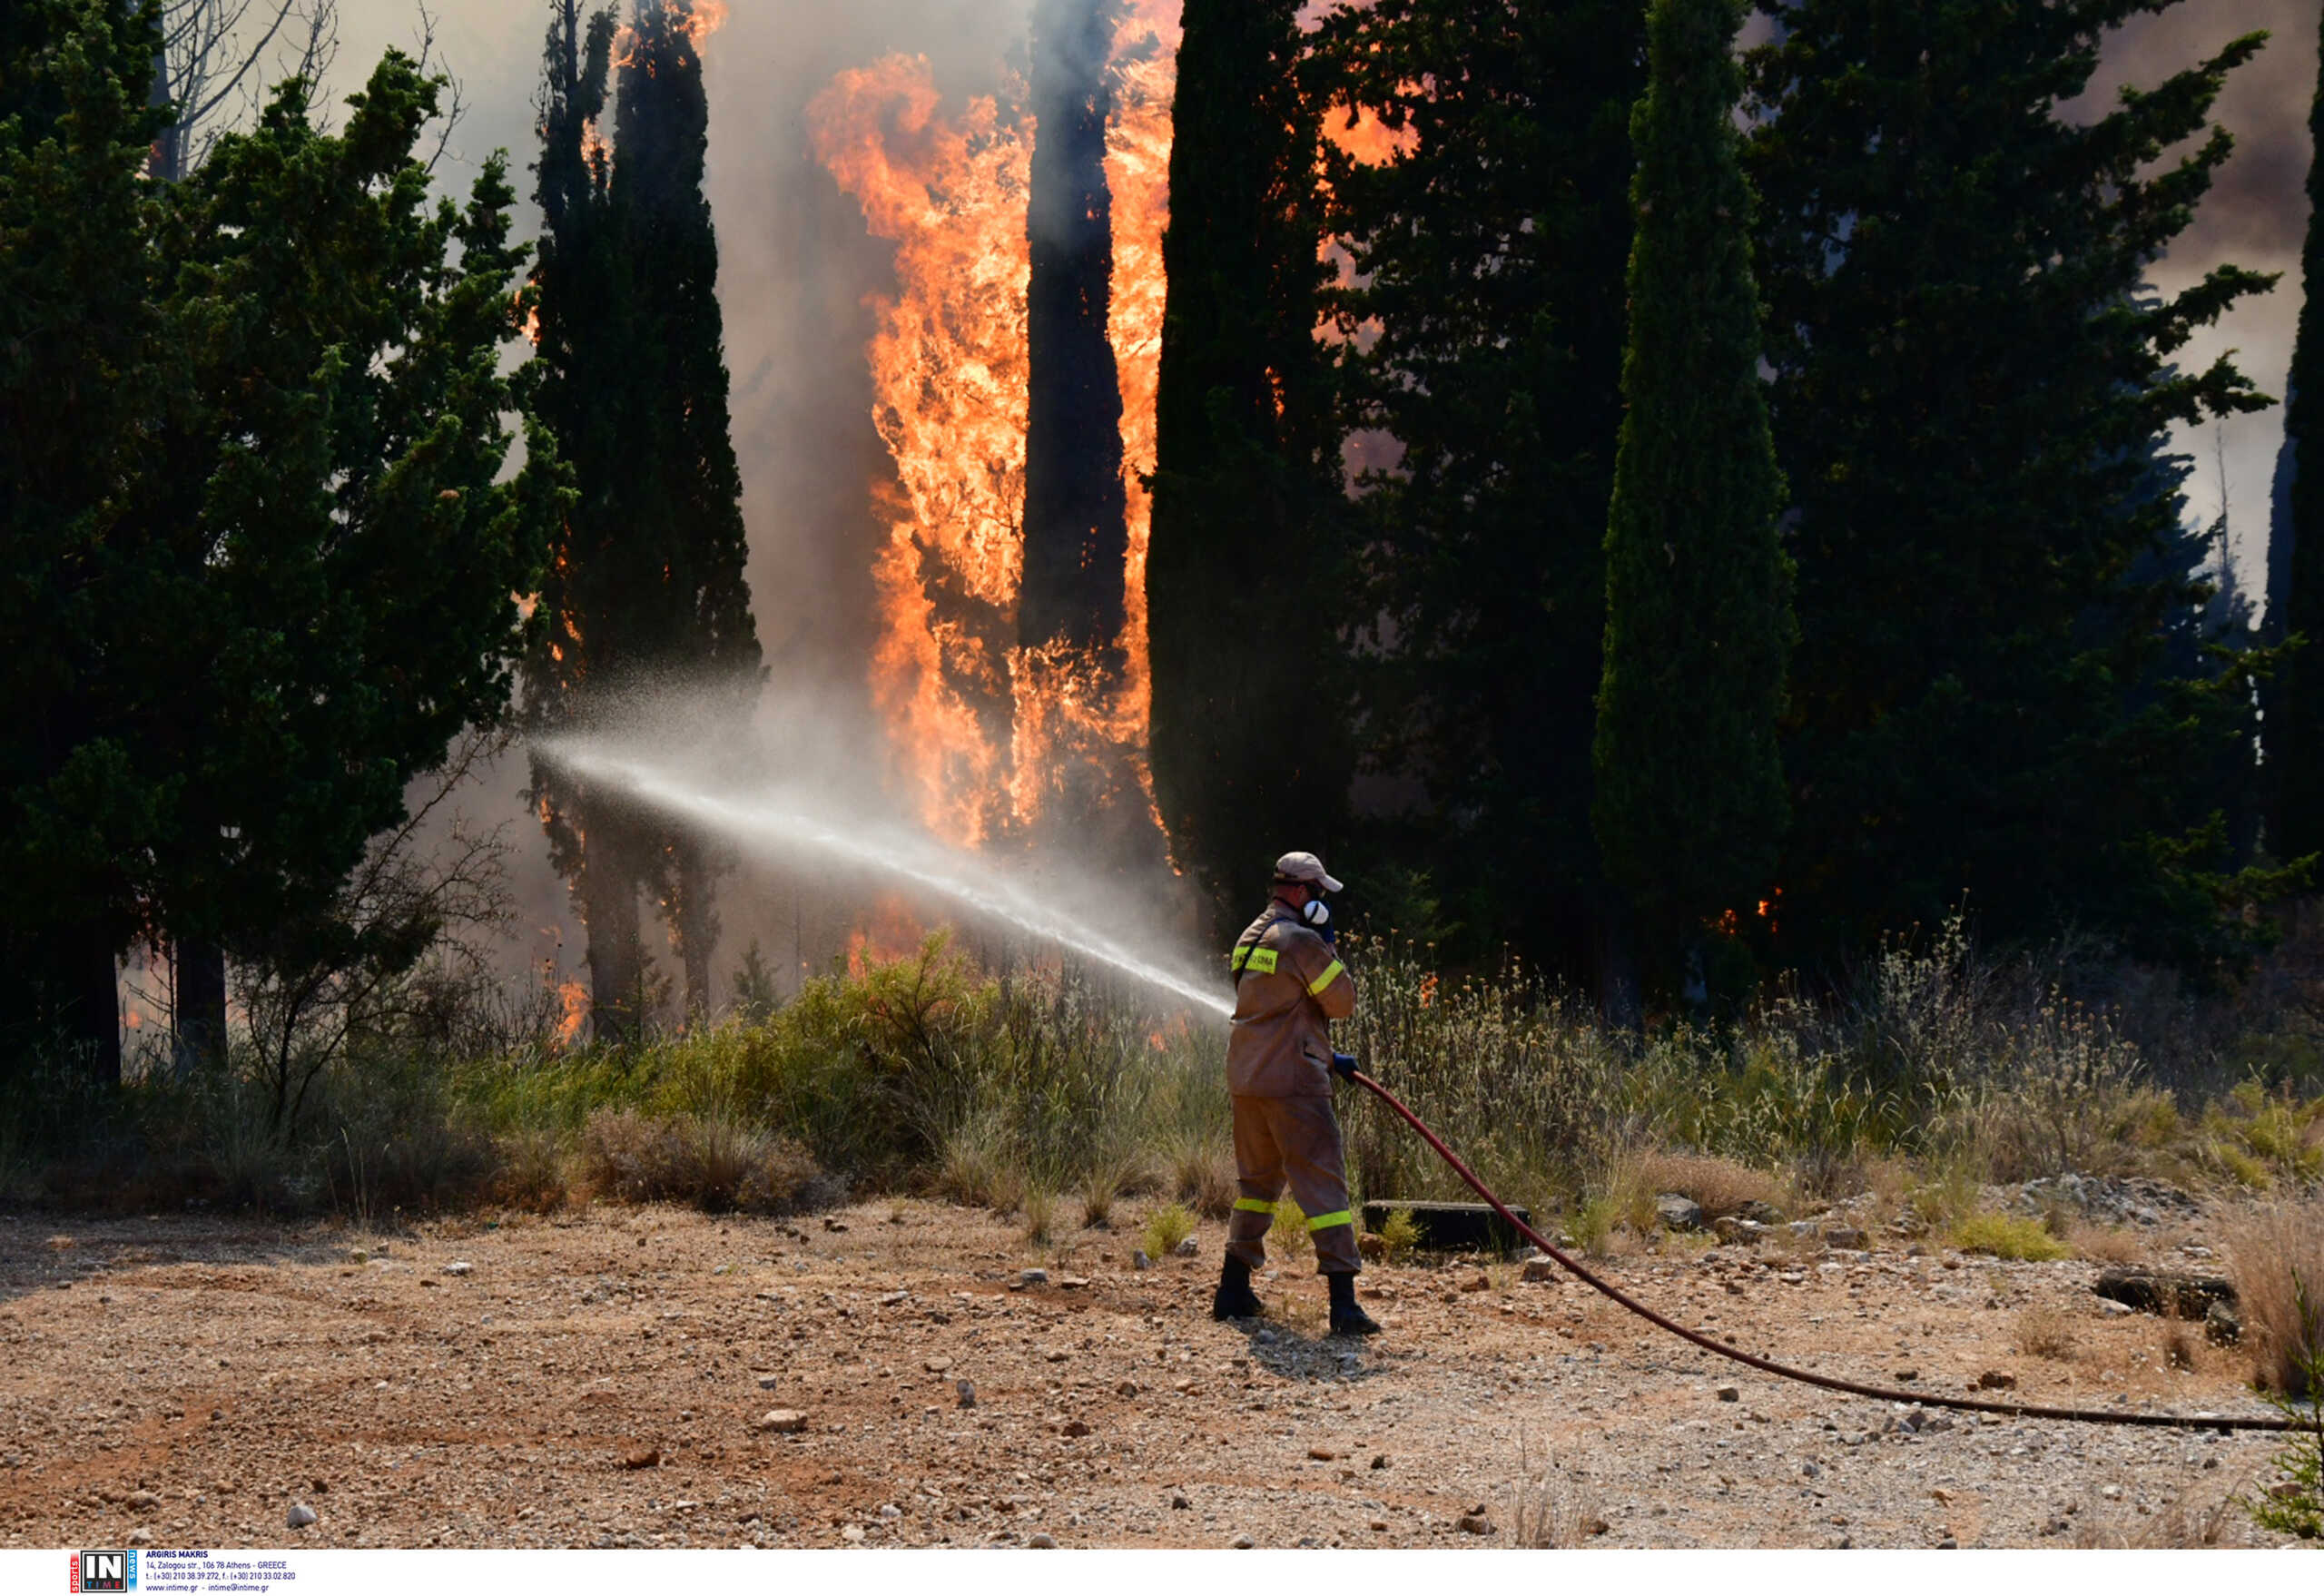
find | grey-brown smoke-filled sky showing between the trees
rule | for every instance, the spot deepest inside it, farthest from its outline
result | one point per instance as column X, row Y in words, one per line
column 796, row 261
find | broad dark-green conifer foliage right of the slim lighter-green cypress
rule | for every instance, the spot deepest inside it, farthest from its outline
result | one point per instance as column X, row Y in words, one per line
column 1972, row 405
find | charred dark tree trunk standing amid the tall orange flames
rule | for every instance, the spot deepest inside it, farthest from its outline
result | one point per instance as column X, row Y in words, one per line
column 1075, row 501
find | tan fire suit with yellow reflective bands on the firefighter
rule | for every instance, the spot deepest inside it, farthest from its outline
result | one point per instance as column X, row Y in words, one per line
column 1289, row 986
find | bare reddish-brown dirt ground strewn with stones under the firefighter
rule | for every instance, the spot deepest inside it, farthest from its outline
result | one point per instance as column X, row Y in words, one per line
column 605, row 1381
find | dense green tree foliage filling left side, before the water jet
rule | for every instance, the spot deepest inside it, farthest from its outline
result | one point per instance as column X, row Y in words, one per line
column 280, row 575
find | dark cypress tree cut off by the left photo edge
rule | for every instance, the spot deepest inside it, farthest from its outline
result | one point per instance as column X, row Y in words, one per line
column 80, row 378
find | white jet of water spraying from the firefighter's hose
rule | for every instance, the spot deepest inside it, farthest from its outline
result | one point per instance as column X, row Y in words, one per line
column 773, row 826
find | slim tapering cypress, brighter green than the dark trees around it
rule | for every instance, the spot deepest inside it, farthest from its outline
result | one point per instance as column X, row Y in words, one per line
column 1691, row 800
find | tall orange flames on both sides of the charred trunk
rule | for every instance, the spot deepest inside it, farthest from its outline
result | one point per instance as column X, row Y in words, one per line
column 977, row 724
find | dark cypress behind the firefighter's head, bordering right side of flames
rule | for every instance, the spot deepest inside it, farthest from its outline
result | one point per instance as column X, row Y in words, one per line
column 1242, row 575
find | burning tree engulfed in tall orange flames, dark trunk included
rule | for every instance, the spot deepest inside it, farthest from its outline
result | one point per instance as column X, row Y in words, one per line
column 1014, row 382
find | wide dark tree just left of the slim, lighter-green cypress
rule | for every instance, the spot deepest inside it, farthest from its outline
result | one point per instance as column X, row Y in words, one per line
column 1484, row 336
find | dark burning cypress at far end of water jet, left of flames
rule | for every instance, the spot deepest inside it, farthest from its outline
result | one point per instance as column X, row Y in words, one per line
column 647, row 575
